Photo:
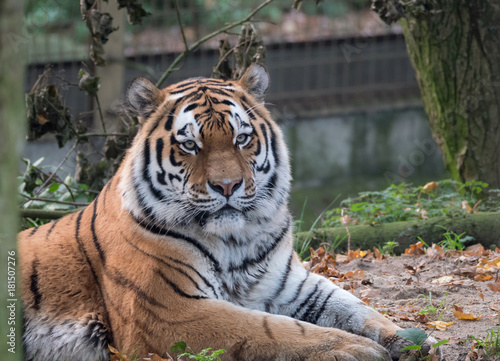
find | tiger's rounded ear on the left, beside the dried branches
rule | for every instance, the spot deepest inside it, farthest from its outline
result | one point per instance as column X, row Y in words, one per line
column 142, row 99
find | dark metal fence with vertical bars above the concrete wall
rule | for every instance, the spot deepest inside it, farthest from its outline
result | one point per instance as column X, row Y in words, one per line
column 307, row 78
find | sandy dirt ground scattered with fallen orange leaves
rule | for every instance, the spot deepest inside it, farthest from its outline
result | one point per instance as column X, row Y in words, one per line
column 396, row 286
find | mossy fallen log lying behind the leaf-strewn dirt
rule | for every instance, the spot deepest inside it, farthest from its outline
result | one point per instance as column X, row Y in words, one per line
column 484, row 227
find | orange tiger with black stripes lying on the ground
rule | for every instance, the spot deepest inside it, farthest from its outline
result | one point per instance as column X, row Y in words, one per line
column 191, row 240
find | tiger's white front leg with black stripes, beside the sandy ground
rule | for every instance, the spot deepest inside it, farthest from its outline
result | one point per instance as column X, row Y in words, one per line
column 311, row 298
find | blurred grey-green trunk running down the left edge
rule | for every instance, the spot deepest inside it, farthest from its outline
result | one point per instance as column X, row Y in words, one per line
column 13, row 40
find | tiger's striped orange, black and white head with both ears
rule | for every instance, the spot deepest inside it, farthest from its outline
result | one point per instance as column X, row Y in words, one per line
column 208, row 154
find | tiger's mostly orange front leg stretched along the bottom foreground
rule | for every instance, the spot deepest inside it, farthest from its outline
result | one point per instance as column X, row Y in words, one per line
column 250, row 335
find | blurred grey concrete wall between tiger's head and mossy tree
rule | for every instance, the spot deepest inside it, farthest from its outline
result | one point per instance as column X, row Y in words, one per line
column 392, row 144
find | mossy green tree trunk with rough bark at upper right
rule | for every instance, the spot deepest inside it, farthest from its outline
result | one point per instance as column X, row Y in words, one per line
column 454, row 46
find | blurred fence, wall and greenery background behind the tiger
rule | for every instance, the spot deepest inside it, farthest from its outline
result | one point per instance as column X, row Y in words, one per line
column 342, row 85
